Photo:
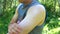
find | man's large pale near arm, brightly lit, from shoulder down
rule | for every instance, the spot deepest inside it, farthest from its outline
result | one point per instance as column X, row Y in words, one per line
column 34, row 16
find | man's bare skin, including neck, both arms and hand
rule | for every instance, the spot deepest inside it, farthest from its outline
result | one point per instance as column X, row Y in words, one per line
column 35, row 17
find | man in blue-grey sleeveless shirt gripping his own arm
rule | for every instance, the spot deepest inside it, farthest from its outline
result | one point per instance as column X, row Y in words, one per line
column 28, row 18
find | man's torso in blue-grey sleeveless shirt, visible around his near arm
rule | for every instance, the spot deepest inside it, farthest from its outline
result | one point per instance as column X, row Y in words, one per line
column 22, row 10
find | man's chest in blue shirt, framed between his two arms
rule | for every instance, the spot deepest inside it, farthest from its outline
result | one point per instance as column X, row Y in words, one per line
column 22, row 12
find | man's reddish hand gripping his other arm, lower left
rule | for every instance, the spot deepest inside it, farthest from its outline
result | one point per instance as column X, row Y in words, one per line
column 14, row 29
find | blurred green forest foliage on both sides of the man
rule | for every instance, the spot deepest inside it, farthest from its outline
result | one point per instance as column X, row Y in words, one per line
column 52, row 26
